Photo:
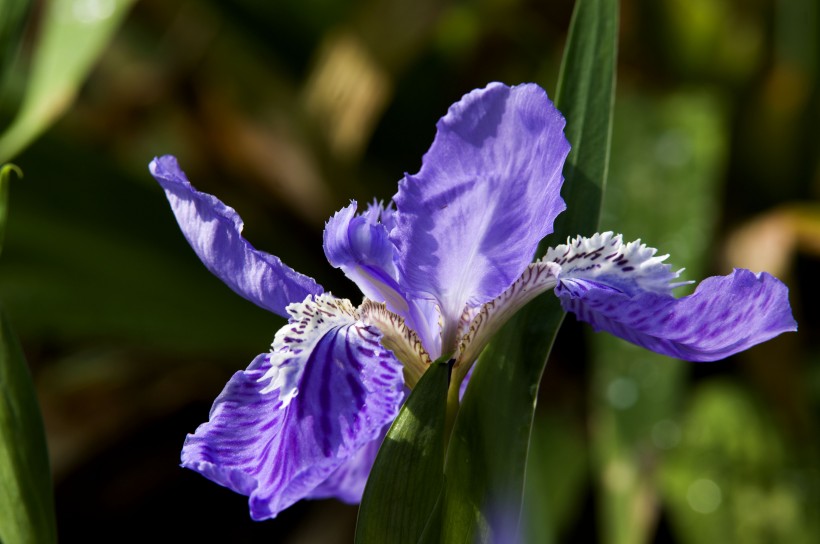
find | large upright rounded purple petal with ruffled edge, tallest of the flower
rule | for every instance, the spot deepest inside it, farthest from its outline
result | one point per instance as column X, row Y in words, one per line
column 488, row 191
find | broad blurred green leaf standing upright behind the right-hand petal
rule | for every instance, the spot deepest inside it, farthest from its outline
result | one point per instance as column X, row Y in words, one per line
column 635, row 393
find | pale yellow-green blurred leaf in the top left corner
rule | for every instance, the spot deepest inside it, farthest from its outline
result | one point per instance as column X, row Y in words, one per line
column 72, row 36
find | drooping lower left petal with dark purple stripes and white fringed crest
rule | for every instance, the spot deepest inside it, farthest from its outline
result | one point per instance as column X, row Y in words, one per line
column 279, row 449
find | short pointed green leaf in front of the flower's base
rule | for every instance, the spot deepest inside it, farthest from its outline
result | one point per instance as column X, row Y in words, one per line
column 406, row 478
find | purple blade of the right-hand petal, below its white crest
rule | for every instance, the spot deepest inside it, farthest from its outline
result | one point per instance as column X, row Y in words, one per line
column 725, row 315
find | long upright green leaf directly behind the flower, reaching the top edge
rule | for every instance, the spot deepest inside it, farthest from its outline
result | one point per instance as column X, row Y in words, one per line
column 484, row 471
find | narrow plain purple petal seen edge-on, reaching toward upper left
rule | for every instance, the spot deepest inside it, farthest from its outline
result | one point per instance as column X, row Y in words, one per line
column 214, row 231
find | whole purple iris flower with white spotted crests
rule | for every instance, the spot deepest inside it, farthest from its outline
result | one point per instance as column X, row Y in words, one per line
column 442, row 267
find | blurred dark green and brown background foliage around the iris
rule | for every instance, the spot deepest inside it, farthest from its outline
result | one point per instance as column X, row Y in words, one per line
column 288, row 109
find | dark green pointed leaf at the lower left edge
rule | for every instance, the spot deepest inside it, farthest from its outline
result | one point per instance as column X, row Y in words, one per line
column 26, row 496
